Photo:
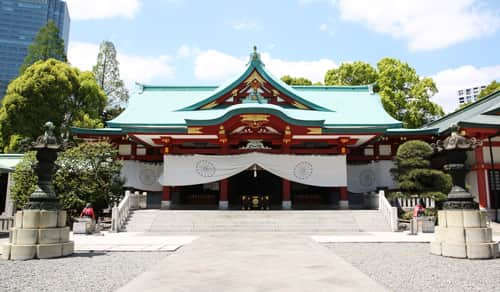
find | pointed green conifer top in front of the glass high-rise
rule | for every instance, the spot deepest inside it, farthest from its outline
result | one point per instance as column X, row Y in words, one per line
column 47, row 44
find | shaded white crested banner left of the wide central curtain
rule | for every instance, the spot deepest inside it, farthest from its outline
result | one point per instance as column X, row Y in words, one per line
column 142, row 176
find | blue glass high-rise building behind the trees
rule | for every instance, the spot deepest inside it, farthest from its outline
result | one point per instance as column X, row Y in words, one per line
column 20, row 21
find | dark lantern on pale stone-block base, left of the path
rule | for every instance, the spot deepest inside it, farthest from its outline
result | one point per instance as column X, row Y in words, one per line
column 40, row 228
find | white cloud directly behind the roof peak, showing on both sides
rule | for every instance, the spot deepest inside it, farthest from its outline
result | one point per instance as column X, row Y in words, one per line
column 217, row 66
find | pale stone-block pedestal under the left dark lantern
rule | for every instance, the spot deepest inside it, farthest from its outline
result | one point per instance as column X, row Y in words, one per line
column 38, row 234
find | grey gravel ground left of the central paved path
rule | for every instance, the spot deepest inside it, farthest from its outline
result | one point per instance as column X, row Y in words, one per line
column 81, row 272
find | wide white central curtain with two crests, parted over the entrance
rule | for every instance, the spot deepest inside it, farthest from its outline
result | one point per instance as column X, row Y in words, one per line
column 326, row 171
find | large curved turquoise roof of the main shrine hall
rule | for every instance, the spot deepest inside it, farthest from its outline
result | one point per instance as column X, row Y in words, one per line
column 176, row 106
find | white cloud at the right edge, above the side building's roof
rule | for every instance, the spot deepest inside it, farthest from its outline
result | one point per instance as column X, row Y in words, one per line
column 449, row 81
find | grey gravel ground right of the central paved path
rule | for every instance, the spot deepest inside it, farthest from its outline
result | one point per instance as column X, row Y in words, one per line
column 411, row 267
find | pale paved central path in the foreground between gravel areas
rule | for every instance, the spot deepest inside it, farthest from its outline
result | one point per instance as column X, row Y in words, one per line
column 253, row 262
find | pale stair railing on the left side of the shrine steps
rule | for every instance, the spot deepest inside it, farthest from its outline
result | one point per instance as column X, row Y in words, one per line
column 120, row 213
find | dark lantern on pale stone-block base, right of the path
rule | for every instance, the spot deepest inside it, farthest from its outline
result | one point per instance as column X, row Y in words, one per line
column 462, row 230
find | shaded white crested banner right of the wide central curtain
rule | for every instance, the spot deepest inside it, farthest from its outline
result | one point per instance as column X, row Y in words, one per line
column 370, row 176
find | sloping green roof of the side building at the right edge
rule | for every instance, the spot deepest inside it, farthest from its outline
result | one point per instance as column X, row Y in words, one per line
column 481, row 113
